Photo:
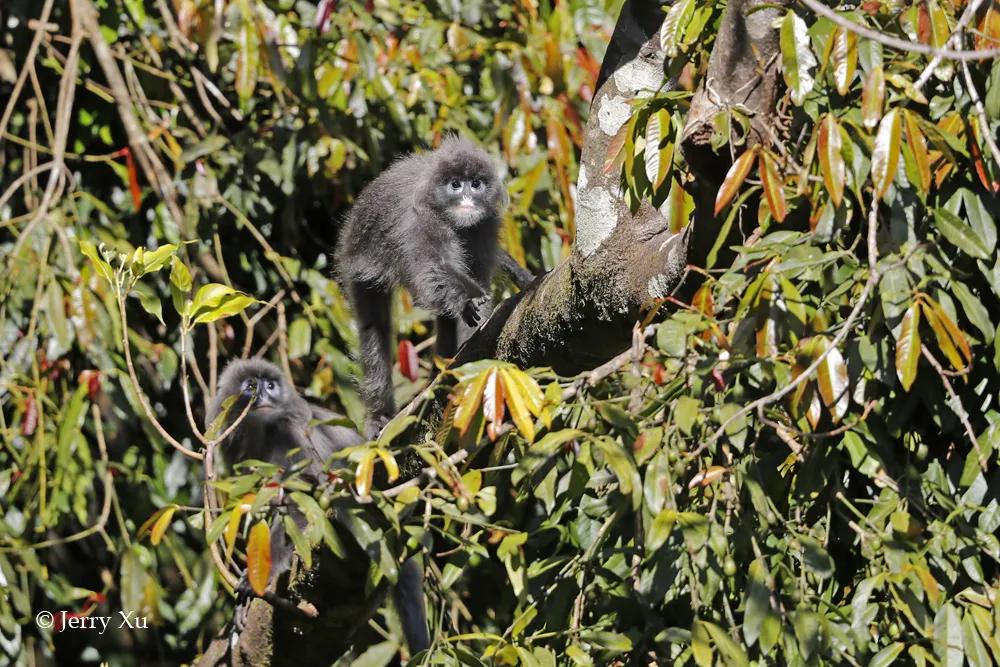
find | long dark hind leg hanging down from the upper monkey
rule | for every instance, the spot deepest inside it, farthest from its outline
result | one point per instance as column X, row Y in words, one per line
column 372, row 307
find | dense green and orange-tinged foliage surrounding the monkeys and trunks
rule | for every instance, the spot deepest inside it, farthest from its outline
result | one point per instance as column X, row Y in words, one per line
column 672, row 509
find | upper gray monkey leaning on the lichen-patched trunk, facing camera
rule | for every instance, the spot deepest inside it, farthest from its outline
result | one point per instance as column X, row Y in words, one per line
column 429, row 223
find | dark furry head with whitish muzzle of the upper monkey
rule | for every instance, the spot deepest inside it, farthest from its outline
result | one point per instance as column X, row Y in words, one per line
column 465, row 186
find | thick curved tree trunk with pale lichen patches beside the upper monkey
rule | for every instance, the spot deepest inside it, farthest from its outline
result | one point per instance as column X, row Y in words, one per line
column 581, row 313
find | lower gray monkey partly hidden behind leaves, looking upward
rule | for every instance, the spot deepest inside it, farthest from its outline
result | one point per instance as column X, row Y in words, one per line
column 279, row 422
